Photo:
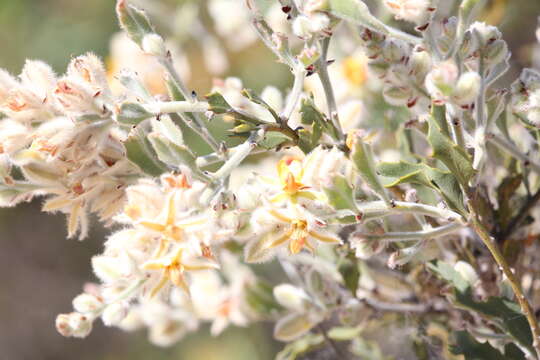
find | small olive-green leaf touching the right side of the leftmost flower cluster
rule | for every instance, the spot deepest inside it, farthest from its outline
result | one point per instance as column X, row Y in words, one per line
column 140, row 153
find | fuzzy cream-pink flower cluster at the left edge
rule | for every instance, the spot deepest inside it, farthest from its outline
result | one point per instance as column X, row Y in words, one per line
column 59, row 132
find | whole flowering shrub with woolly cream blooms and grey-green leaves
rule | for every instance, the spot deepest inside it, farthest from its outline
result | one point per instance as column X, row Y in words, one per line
column 383, row 176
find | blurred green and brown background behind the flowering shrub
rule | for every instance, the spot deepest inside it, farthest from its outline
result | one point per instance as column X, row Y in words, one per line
column 41, row 271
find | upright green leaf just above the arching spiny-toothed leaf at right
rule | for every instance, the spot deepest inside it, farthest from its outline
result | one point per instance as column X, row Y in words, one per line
column 456, row 159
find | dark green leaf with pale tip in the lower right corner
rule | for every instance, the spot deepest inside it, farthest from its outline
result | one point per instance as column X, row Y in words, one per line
column 503, row 312
